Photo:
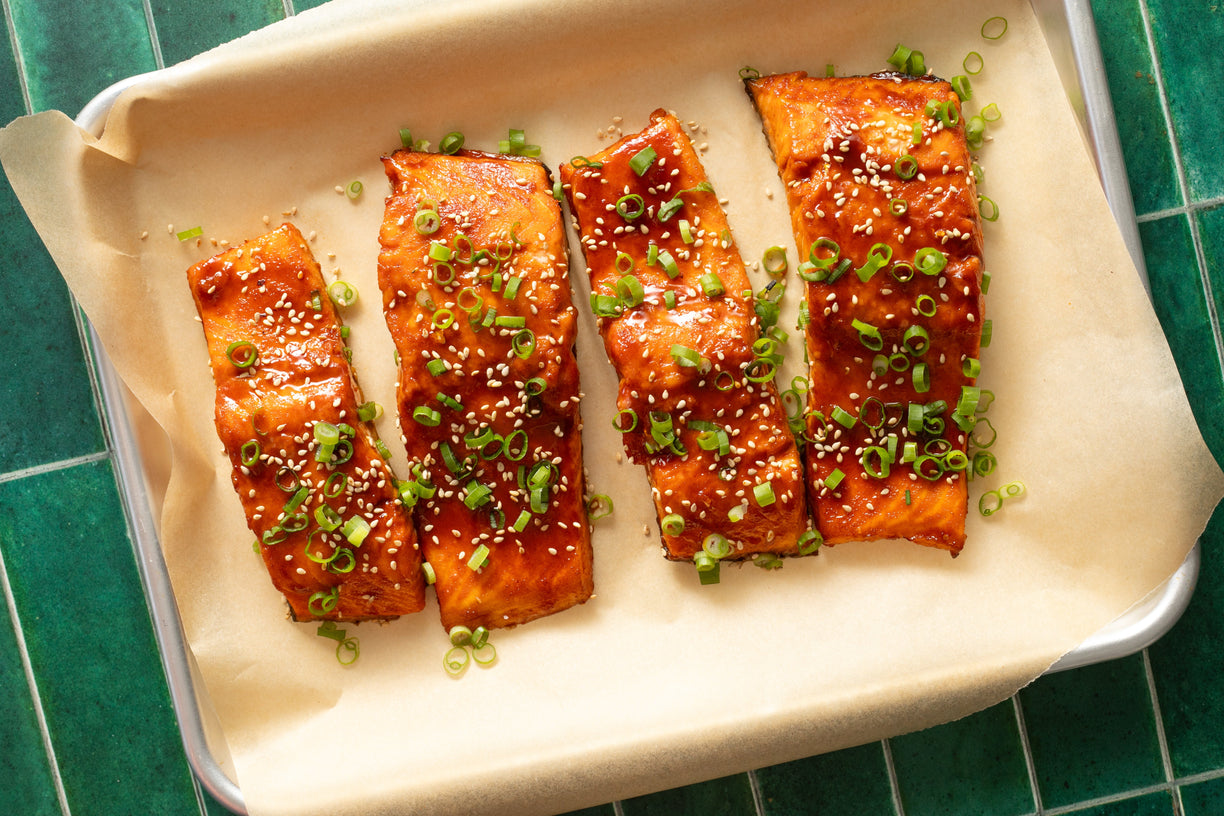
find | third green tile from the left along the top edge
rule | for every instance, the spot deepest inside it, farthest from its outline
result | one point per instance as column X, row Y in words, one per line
column 188, row 29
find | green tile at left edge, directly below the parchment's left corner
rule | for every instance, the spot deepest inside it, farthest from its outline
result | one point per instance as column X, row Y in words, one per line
column 47, row 406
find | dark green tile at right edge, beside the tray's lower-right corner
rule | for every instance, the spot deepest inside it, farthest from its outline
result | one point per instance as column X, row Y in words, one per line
column 1188, row 665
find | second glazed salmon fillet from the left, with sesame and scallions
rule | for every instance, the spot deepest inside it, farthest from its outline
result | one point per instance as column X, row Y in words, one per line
column 474, row 276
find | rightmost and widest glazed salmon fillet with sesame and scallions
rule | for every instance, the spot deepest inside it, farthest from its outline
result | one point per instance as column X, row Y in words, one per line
column 884, row 207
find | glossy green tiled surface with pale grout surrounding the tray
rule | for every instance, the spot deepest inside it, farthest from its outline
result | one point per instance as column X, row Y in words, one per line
column 86, row 725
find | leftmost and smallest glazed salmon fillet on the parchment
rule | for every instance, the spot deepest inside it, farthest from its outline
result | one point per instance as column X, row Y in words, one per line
column 319, row 495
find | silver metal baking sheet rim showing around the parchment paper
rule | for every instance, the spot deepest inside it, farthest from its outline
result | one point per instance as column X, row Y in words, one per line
column 139, row 450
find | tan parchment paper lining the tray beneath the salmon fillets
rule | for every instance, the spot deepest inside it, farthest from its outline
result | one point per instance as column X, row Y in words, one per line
column 657, row 682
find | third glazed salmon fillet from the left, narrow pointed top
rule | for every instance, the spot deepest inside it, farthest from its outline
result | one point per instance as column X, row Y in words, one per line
column 675, row 306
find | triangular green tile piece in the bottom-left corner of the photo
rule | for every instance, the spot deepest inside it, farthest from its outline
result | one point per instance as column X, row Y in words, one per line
column 26, row 784
